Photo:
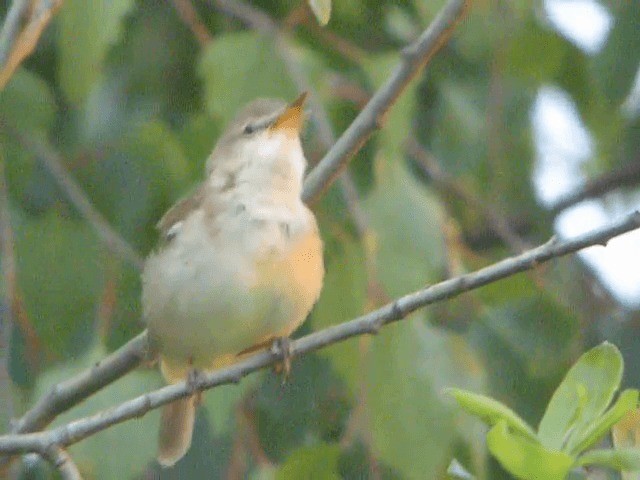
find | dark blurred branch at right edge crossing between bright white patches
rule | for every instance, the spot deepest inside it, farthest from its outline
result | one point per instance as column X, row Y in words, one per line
column 626, row 176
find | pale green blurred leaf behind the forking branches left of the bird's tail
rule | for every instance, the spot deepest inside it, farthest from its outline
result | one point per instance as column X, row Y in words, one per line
column 121, row 451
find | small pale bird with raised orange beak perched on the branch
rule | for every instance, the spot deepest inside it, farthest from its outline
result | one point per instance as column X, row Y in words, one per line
column 239, row 263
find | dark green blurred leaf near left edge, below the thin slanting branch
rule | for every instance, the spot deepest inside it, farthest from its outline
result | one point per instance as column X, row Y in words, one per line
column 60, row 273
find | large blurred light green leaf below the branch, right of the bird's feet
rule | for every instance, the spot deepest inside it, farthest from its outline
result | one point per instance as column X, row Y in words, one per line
column 409, row 362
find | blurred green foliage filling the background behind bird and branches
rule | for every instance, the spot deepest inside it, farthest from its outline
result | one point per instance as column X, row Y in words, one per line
column 125, row 92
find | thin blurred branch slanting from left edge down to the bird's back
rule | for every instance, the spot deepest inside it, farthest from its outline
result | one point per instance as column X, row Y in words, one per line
column 54, row 164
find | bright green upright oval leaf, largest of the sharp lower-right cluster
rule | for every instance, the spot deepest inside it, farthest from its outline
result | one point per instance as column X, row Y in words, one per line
column 582, row 397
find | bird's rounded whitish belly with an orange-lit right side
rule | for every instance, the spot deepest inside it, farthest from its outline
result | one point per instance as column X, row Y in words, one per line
column 201, row 315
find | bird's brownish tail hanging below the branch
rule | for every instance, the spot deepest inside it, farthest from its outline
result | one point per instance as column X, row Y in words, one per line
column 176, row 429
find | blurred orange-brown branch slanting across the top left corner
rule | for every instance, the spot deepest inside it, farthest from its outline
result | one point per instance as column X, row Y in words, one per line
column 17, row 42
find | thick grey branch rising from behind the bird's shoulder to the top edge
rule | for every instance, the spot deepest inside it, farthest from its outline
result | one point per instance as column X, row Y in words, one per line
column 414, row 58
